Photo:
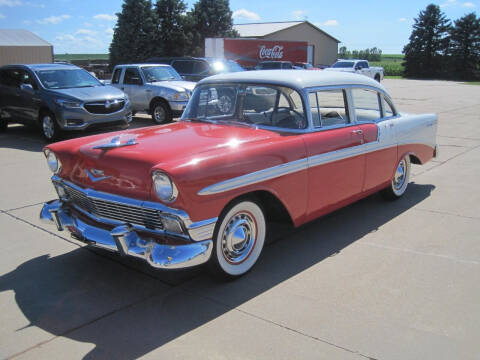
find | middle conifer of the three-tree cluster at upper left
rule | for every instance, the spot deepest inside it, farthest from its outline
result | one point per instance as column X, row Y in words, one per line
column 171, row 30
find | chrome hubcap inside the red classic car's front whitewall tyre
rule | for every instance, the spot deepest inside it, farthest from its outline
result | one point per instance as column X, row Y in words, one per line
column 239, row 238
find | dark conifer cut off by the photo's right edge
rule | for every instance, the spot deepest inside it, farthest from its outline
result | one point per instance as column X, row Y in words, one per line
column 465, row 46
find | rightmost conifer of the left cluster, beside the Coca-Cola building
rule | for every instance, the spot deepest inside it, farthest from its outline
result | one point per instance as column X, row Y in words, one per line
column 209, row 18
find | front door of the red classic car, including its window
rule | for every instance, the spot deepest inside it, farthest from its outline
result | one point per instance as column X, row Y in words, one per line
column 336, row 162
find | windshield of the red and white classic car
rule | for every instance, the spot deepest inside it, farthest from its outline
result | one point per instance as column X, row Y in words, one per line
column 259, row 105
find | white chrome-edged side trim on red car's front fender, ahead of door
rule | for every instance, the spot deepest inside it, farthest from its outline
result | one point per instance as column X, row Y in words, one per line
column 255, row 177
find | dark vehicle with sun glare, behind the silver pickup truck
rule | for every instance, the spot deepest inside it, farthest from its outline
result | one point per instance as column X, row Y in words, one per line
column 195, row 68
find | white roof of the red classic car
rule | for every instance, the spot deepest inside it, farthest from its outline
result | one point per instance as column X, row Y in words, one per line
column 297, row 79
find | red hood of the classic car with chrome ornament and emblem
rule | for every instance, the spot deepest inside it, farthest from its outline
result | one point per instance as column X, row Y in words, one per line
column 126, row 169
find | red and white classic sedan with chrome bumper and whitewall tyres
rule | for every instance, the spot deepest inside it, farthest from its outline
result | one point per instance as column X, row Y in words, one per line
column 250, row 147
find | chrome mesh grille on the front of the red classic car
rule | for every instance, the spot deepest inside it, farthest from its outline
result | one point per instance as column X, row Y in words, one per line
column 149, row 218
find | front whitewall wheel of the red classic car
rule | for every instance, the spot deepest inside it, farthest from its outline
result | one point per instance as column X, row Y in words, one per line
column 238, row 240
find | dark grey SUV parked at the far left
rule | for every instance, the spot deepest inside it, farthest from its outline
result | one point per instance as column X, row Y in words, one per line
column 59, row 97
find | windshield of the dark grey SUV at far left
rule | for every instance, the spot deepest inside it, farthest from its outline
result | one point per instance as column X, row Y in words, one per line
column 66, row 78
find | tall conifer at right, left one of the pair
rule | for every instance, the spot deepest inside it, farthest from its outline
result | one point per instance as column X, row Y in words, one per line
column 426, row 52
